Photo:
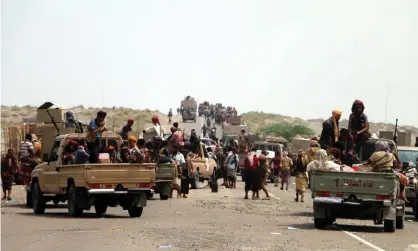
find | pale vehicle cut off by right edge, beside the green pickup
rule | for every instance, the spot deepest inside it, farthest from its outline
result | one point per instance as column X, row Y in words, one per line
column 410, row 154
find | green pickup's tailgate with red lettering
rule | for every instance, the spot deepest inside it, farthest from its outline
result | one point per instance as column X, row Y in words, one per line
column 346, row 183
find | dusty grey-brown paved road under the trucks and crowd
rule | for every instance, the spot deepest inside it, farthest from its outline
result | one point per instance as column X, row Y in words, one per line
column 204, row 221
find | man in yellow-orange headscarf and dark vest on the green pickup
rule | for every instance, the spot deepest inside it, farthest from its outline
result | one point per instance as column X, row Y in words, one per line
column 330, row 130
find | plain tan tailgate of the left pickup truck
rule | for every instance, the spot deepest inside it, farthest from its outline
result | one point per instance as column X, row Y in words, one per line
column 128, row 175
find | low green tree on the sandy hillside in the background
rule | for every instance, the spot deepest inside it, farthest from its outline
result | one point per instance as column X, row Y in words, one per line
column 287, row 130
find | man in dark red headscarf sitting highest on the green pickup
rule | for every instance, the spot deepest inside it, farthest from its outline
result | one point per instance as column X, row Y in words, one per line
column 358, row 124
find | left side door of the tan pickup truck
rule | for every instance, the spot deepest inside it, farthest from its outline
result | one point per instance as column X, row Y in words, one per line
column 49, row 179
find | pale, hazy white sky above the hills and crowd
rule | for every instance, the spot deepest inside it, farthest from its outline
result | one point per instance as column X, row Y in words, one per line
column 300, row 58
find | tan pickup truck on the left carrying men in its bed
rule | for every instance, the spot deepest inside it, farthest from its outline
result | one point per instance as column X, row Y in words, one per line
column 84, row 185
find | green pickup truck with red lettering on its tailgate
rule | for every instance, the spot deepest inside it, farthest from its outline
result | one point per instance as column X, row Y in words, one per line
column 358, row 195
